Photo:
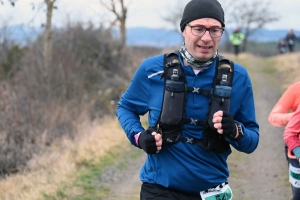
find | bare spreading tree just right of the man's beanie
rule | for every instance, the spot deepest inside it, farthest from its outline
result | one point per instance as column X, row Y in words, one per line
column 249, row 16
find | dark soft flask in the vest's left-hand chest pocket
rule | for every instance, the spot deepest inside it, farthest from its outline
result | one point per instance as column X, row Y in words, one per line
column 174, row 100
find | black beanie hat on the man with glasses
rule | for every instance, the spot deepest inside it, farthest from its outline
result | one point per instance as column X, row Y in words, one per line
column 197, row 9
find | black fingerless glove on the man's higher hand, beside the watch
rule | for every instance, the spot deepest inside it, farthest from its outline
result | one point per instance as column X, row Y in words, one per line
column 228, row 126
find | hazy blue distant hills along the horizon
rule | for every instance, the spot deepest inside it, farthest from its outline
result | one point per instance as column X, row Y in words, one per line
column 143, row 36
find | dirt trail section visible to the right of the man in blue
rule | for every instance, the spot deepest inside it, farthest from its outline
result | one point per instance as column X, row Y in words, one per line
column 262, row 174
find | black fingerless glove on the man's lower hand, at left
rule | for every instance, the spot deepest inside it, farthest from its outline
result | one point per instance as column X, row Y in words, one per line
column 147, row 141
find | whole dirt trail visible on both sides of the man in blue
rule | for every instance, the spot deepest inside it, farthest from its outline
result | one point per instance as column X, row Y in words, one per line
column 260, row 175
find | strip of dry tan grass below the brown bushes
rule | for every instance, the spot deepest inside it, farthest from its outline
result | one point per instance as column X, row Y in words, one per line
column 59, row 165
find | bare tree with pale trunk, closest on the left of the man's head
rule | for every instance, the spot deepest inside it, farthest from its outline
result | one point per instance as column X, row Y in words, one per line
column 120, row 15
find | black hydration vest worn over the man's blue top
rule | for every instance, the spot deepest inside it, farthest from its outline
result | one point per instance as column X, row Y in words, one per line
column 172, row 116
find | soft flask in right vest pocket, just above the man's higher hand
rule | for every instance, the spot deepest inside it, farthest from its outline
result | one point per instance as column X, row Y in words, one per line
column 220, row 100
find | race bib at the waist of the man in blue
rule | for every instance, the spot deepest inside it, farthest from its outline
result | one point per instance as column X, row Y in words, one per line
column 222, row 192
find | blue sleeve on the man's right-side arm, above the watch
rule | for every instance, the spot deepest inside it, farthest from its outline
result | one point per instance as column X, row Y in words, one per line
column 245, row 115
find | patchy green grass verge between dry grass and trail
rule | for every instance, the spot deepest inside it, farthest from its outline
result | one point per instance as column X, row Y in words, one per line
column 89, row 183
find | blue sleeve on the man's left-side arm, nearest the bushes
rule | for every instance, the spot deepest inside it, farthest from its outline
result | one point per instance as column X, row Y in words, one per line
column 133, row 103
